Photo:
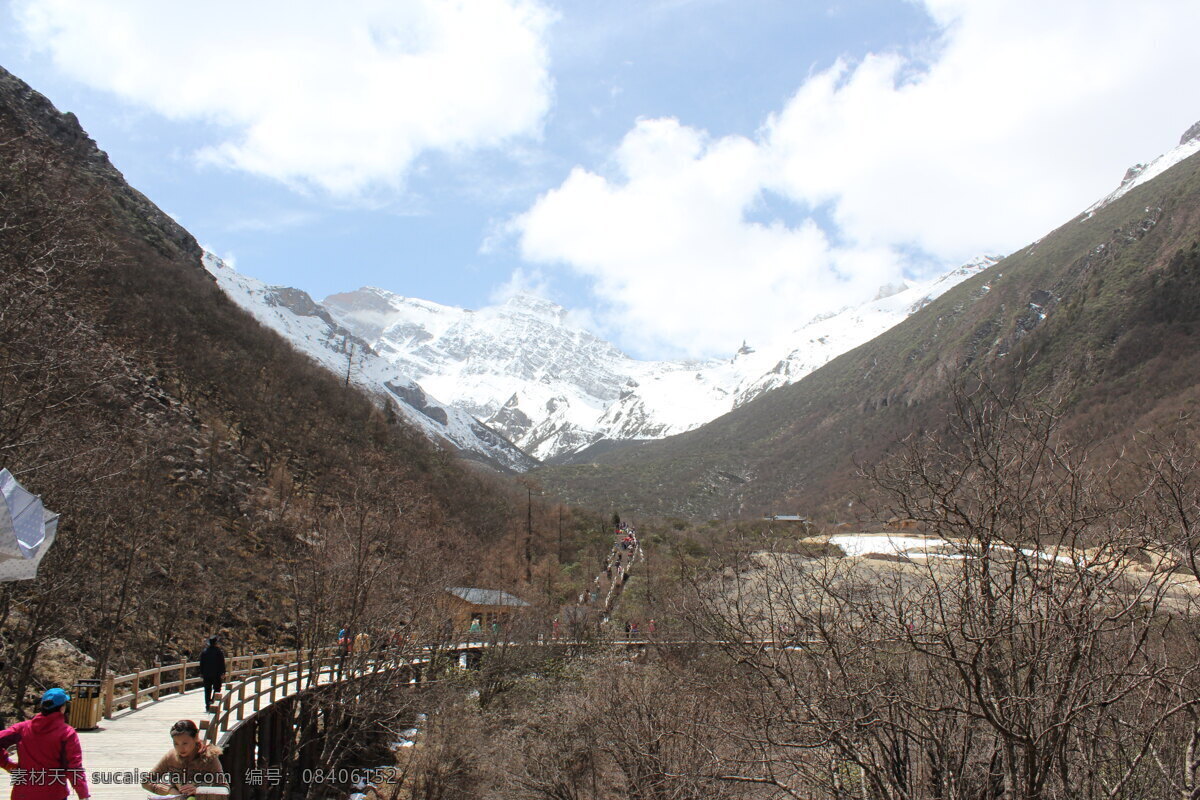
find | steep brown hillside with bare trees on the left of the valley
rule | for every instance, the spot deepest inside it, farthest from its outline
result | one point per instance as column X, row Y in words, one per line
column 211, row 478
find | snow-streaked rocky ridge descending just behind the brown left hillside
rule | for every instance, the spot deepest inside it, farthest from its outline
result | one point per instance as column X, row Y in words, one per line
column 308, row 327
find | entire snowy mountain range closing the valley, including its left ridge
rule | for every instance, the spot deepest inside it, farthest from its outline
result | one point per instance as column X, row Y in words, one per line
column 538, row 381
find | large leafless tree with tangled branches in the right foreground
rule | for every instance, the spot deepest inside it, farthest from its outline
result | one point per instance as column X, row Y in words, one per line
column 1024, row 657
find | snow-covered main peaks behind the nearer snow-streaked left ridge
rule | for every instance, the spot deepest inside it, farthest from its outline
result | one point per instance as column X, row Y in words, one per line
column 553, row 388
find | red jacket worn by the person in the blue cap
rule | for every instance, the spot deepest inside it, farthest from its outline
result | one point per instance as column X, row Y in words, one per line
column 50, row 760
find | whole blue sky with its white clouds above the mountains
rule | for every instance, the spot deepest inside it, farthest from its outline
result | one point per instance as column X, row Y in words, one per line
column 685, row 175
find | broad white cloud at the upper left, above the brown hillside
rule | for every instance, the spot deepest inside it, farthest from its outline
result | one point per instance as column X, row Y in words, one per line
column 341, row 97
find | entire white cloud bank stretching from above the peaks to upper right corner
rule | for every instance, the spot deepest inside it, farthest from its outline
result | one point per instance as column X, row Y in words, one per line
column 1017, row 119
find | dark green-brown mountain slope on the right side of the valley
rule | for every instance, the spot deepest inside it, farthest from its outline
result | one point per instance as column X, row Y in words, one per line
column 1073, row 304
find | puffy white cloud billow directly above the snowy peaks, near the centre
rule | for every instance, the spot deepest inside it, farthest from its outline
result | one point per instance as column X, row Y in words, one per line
column 669, row 246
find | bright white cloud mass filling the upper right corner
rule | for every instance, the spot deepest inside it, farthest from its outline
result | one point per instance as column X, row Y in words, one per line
column 1030, row 111
